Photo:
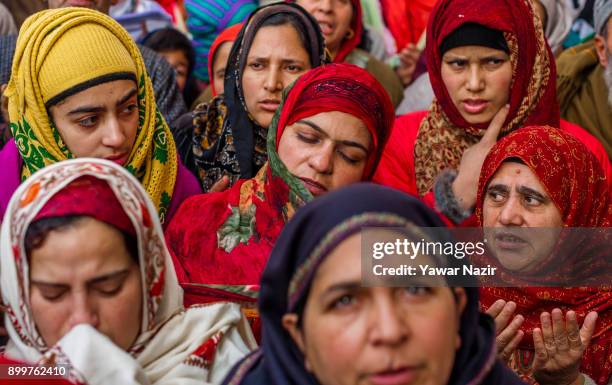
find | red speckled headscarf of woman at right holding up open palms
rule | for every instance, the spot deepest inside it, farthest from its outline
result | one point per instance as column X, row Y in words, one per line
column 576, row 183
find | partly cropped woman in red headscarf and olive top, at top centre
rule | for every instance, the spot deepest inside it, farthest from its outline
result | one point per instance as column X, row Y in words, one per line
column 342, row 25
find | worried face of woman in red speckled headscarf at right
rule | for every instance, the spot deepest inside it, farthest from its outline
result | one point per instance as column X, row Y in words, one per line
column 515, row 200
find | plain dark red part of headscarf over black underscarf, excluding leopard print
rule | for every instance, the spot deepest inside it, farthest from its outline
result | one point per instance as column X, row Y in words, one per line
column 510, row 16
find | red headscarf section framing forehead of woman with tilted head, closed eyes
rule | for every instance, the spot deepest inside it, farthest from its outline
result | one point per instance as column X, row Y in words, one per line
column 321, row 93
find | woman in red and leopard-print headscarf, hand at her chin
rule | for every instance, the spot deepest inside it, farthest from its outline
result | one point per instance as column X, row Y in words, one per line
column 485, row 59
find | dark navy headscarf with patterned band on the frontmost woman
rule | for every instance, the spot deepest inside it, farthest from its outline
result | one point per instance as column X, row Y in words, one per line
column 279, row 361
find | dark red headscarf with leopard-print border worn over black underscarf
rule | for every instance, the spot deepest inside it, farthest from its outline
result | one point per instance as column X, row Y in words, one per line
column 444, row 135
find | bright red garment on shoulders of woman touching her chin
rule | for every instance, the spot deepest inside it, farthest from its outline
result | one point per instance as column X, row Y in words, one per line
column 396, row 167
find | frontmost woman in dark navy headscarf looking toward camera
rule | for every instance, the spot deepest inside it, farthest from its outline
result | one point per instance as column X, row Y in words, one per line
column 320, row 326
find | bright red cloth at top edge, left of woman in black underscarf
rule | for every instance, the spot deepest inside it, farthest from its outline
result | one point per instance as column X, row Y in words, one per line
column 406, row 19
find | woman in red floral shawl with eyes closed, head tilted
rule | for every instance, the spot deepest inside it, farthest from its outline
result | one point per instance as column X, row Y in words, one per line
column 328, row 132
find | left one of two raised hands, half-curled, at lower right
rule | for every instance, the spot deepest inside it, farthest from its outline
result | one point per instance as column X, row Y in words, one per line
column 507, row 328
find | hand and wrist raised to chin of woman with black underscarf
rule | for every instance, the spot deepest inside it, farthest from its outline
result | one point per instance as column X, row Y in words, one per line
column 465, row 186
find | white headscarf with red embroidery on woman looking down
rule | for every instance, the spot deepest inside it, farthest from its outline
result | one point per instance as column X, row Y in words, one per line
column 175, row 346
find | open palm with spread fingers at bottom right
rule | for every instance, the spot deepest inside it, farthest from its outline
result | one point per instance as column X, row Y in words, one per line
column 559, row 346
